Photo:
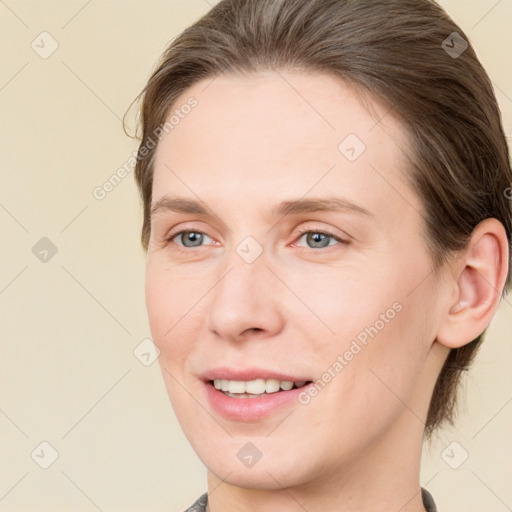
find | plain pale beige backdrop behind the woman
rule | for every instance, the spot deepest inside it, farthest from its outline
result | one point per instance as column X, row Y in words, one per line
column 69, row 325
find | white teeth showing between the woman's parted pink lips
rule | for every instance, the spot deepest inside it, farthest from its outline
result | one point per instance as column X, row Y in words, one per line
column 255, row 388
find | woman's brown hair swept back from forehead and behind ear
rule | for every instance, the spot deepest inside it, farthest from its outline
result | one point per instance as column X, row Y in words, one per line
column 394, row 50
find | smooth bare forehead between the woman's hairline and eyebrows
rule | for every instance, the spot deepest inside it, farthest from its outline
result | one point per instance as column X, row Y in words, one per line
column 280, row 131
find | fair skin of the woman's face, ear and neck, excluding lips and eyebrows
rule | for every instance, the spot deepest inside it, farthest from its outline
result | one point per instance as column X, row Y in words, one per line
column 251, row 143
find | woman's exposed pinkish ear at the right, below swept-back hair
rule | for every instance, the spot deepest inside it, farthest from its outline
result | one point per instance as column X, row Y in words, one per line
column 478, row 279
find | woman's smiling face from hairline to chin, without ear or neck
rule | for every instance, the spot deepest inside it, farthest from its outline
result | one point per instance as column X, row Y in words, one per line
column 262, row 283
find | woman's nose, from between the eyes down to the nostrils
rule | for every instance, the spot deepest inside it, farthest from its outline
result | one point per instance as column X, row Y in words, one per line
column 244, row 302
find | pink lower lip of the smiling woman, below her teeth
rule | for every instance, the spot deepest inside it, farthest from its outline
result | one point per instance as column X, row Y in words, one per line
column 251, row 409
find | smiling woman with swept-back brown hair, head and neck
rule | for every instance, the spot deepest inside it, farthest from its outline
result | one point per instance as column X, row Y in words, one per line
column 328, row 237
